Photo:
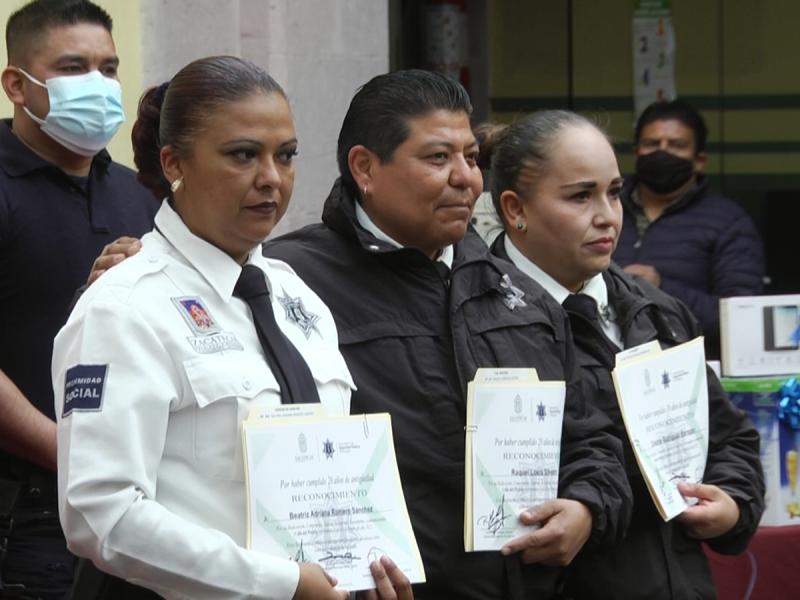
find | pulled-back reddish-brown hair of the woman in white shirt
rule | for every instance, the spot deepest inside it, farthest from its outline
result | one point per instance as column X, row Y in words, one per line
column 174, row 113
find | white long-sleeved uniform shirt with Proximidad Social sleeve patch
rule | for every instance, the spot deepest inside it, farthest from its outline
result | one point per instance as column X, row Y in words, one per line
column 161, row 365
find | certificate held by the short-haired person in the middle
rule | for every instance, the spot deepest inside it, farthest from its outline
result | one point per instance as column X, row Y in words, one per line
column 513, row 452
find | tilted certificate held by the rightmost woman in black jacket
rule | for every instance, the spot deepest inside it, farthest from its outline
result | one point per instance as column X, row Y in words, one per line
column 663, row 397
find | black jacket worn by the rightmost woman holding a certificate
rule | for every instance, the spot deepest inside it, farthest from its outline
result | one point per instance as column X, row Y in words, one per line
column 657, row 560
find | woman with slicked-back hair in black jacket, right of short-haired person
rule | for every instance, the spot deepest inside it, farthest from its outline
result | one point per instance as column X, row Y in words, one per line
column 556, row 185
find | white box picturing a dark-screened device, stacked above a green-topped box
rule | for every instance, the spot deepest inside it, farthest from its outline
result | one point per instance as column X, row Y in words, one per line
column 760, row 335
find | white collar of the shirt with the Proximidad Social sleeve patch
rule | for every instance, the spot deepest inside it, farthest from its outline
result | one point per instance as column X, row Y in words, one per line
column 216, row 267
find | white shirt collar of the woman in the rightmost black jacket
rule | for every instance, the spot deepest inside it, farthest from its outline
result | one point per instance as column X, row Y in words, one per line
column 595, row 288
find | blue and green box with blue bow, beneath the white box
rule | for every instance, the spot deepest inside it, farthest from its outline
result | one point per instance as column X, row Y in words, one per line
column 758, row 397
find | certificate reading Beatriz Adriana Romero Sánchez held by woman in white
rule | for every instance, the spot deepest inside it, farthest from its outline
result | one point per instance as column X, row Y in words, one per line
column 327, row 490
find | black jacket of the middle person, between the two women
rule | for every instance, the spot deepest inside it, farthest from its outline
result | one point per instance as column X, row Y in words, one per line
column 413, row 340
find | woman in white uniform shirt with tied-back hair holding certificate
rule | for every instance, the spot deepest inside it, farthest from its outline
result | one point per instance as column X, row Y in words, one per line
column 160, row 363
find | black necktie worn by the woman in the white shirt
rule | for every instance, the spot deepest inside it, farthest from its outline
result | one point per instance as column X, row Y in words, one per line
column 287, row 364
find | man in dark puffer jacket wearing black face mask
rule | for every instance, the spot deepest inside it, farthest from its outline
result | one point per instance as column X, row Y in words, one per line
column 676, row 233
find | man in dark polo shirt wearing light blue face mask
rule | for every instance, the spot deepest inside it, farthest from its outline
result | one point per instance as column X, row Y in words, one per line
column 62, row 200
